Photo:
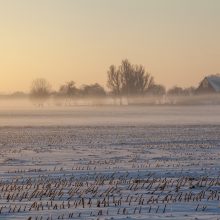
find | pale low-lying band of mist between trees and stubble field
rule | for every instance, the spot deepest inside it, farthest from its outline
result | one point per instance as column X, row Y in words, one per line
column 105, row 112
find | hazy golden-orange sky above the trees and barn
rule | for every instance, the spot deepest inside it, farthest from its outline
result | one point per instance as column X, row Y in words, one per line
column 178, row 41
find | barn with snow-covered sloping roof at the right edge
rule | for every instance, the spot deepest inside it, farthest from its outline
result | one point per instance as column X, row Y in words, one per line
column 210, row 84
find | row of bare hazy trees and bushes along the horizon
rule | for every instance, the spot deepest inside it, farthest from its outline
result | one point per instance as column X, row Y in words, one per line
column 126, row 80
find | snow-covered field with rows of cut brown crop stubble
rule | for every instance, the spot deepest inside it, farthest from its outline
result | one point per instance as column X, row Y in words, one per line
column 104, row 164
